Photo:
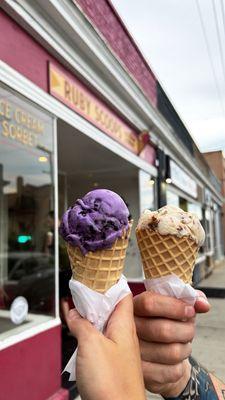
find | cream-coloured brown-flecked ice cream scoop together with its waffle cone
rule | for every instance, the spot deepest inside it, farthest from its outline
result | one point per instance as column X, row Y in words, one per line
column 169, row 240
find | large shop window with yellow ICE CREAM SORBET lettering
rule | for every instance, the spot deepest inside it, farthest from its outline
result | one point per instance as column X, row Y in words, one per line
column 26, row 214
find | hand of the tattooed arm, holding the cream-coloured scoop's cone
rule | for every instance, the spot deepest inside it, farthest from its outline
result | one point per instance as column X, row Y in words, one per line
column 166, row 327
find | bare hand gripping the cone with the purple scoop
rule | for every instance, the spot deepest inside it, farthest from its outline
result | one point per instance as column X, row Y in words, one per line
column 108, row 366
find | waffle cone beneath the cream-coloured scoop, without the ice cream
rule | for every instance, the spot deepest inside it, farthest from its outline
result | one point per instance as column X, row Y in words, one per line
column 166, row 254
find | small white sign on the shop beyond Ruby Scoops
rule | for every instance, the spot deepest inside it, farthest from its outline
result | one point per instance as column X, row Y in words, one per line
column 183, row 180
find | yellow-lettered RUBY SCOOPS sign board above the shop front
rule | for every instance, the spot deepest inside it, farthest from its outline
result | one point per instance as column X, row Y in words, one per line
column 77, row 97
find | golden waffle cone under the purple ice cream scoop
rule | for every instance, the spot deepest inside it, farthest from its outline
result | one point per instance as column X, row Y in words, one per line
column 100, row 269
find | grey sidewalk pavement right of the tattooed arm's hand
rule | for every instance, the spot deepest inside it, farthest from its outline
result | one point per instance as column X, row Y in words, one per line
column 209, row 344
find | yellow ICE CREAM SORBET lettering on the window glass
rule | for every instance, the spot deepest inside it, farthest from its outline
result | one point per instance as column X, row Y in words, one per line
column 19, row 125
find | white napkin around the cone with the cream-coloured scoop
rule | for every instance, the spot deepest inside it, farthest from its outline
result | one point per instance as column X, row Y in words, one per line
column 173, row 286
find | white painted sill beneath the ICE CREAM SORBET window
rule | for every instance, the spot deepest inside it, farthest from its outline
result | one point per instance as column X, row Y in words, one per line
column 28, row 333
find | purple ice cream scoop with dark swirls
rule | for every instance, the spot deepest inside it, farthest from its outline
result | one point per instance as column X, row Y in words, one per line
column 95, row 221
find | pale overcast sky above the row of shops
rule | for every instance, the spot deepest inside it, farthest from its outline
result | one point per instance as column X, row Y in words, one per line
column 170, row 35
